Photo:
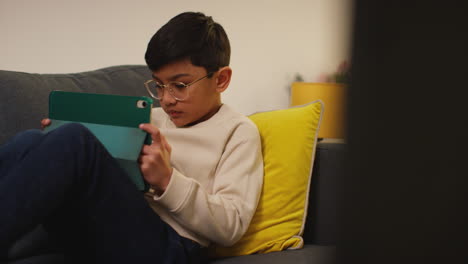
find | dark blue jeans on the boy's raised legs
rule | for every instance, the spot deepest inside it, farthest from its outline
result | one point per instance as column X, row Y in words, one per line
column 67, row 181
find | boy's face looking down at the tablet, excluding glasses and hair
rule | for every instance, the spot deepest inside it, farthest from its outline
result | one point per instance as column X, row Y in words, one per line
column 203, row 99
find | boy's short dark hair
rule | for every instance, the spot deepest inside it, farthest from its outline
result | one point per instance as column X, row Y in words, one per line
column 191, row 36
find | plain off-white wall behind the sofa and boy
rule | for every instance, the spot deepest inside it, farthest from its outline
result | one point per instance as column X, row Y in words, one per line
column 271, row 41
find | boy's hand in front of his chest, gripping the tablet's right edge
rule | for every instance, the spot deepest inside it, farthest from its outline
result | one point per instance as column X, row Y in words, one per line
column 155, row 159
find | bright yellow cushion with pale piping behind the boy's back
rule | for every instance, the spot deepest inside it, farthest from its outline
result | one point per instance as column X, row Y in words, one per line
column 289, row 139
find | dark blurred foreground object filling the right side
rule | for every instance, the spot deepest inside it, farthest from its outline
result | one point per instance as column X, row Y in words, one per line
column 404, row 195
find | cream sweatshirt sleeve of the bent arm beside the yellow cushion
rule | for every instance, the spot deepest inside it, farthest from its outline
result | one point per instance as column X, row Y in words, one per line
column 223, row 214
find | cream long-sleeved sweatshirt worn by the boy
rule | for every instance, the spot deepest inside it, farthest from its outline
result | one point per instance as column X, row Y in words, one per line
column 217, row 178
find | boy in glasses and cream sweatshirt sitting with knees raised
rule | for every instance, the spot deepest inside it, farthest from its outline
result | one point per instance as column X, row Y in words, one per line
column 204, row 166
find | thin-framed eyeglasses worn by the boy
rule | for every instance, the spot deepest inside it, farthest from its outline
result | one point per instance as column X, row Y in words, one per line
column 178, row 90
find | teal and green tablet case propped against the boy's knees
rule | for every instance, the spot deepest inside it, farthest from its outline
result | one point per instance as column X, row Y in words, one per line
column 113, row 119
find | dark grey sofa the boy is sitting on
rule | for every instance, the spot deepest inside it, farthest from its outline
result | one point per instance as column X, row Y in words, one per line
column 23, row 103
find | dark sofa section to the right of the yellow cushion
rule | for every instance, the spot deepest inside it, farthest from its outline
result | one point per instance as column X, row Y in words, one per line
column 321, row 221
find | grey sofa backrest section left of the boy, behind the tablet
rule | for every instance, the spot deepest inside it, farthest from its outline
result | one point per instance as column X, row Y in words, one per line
column 24, row 96
